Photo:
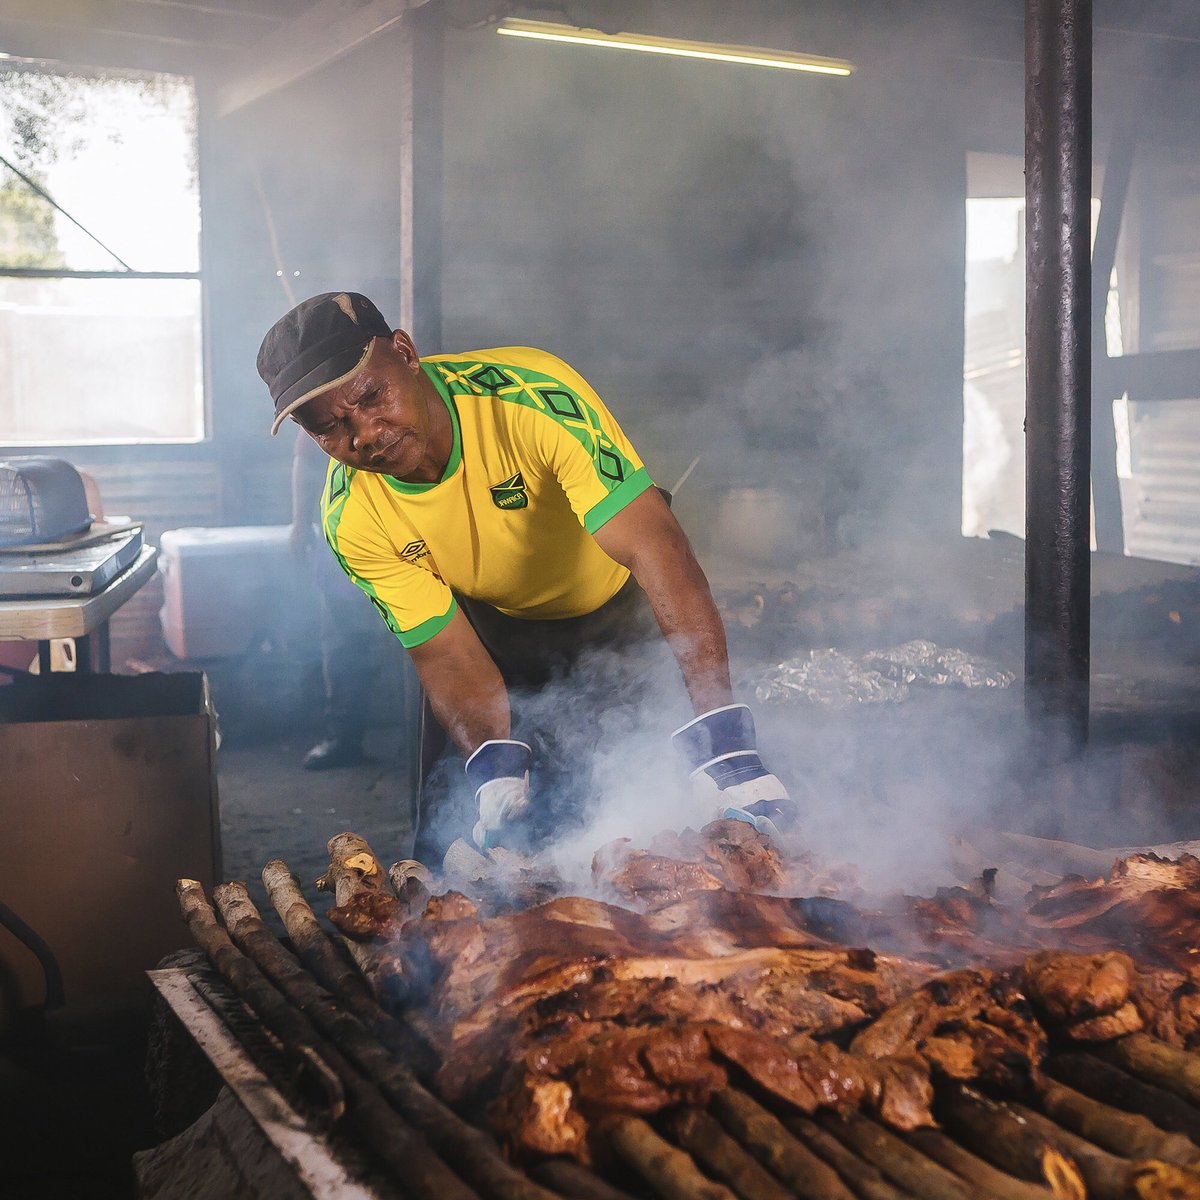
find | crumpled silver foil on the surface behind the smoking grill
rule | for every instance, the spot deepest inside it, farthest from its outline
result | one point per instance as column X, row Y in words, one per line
column 832, row 680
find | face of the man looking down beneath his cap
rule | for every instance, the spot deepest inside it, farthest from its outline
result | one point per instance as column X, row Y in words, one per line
column 380, row 419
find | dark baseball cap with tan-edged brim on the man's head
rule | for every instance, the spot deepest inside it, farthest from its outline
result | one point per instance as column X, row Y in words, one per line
column 317, row 346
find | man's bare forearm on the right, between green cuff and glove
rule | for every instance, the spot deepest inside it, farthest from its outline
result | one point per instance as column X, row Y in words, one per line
column 646, row 538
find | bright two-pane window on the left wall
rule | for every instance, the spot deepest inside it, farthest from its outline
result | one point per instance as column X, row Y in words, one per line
column 100, row 287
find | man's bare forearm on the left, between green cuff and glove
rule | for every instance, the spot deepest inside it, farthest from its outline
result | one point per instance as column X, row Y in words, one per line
column 464, row 686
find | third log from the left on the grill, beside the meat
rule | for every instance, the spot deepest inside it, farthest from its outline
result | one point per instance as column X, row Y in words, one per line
column 322, row 957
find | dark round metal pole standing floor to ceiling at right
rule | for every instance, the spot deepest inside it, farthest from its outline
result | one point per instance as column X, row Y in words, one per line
column 1059, row 351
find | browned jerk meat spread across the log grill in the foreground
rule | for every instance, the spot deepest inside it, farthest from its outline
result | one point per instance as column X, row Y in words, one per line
column 701, row 968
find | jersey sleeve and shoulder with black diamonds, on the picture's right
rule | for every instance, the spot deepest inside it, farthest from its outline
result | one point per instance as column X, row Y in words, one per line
column 580, row 441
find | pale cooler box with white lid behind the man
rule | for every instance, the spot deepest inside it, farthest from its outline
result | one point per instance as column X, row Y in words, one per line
column 227, row 589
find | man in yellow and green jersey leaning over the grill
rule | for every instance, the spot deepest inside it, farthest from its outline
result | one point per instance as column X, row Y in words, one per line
column 479, row 497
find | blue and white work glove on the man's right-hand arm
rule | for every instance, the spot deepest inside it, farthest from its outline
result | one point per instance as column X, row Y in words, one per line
column 722, row 755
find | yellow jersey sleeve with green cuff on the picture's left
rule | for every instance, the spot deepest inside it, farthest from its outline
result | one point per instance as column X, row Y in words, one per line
column 413, row 602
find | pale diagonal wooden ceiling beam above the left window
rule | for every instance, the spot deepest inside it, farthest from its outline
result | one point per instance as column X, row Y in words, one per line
column 321, row 34
